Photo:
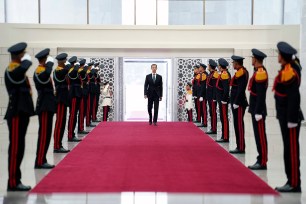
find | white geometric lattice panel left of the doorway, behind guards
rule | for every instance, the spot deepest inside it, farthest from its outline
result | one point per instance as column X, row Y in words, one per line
column 107, row 73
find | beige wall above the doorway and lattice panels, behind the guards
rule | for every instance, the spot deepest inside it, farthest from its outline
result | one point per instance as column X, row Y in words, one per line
column 148, row 41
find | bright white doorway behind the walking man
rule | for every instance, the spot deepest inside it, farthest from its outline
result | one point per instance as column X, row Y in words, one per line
column 134, row 72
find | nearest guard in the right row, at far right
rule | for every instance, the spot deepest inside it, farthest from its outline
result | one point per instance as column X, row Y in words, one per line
column 289, row 114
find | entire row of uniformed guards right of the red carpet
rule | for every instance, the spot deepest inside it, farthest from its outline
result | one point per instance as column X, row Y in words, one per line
column 218, row 87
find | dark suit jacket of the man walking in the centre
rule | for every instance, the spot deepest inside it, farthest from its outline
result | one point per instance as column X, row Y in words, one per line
column 150, row 87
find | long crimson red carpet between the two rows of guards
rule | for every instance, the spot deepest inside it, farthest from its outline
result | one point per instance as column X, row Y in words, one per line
column 133, row 156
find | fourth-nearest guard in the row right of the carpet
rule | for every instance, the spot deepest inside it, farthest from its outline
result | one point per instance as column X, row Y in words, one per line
column 222, row 89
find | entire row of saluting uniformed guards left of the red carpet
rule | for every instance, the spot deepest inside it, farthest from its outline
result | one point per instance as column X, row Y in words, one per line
column 74, row 84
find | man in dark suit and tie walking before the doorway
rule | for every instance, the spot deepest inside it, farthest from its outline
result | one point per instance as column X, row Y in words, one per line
column 153, row 90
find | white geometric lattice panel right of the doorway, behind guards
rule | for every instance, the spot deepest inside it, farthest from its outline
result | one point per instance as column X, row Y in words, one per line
column 185, row 75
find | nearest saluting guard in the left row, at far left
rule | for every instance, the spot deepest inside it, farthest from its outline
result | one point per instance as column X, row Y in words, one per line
column 20, row 109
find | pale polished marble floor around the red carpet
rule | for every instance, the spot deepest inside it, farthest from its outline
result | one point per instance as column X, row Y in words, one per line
column 274, row 176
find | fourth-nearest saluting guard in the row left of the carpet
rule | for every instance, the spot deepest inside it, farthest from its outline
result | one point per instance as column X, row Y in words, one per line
column 75, row 94
